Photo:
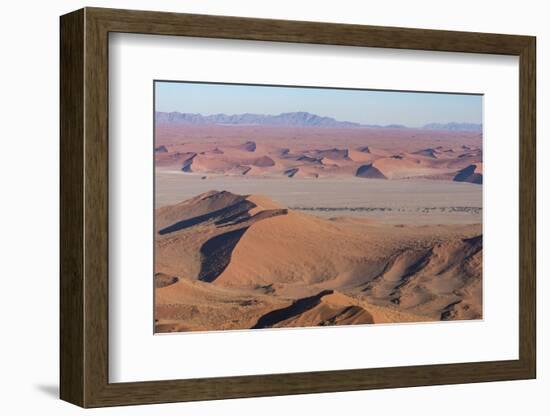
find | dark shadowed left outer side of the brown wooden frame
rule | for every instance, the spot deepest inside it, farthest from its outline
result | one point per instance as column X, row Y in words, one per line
column 71, row 291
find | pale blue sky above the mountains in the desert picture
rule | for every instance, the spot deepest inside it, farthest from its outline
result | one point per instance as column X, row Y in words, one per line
column 412, row 109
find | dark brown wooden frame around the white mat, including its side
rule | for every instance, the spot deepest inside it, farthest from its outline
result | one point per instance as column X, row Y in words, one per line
column 84, row 207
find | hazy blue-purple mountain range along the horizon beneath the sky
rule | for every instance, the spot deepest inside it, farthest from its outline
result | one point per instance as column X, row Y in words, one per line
column 294, row 119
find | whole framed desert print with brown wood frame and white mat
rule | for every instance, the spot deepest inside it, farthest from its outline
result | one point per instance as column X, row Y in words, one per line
column 255, row 207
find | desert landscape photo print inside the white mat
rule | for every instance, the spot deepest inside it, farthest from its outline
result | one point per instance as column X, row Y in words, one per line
column 280, row 207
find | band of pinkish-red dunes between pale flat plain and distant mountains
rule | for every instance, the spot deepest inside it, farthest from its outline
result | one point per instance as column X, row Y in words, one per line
column 316, row 152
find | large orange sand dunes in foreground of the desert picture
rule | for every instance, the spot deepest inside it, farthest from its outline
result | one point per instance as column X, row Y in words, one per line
column 226, row 261
